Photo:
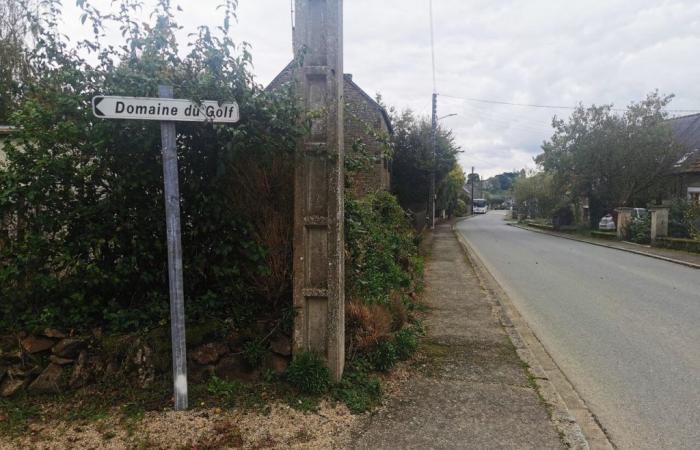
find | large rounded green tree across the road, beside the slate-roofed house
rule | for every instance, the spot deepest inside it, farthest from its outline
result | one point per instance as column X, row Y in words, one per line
column 613, row 159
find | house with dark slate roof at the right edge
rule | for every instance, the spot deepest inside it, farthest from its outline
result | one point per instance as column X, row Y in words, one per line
column 686, row 172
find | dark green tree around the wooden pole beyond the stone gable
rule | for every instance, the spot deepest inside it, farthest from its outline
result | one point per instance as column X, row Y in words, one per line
column 413, row 157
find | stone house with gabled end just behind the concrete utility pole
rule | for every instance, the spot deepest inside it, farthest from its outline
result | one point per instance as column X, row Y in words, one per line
column 364, row 120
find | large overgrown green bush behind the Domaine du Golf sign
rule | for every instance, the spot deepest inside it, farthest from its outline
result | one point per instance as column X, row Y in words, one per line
column 84, row 242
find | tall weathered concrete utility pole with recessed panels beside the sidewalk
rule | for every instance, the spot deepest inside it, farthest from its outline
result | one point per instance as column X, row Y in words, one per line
column 319, row 247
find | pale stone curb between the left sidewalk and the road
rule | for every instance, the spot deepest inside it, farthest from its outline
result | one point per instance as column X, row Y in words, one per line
column 571, row 417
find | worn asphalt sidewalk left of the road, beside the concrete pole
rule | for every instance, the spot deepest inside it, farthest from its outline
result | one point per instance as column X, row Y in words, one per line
column 471, row 390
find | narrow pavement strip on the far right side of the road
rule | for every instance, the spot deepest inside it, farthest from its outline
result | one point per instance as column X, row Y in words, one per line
column 675, row 256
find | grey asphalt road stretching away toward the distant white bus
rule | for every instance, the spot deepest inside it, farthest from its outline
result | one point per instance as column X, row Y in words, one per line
column 624, row 328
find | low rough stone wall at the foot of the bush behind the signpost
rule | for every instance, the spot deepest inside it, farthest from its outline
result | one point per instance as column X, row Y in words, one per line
column 54, row 361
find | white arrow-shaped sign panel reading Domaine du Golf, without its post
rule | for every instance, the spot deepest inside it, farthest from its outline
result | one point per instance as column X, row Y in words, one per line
column 163, row 109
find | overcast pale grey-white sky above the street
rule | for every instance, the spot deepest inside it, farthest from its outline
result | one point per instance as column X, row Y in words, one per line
column 544, row 52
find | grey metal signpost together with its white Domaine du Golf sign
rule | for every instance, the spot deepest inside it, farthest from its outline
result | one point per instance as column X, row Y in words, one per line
column 168, row 111
